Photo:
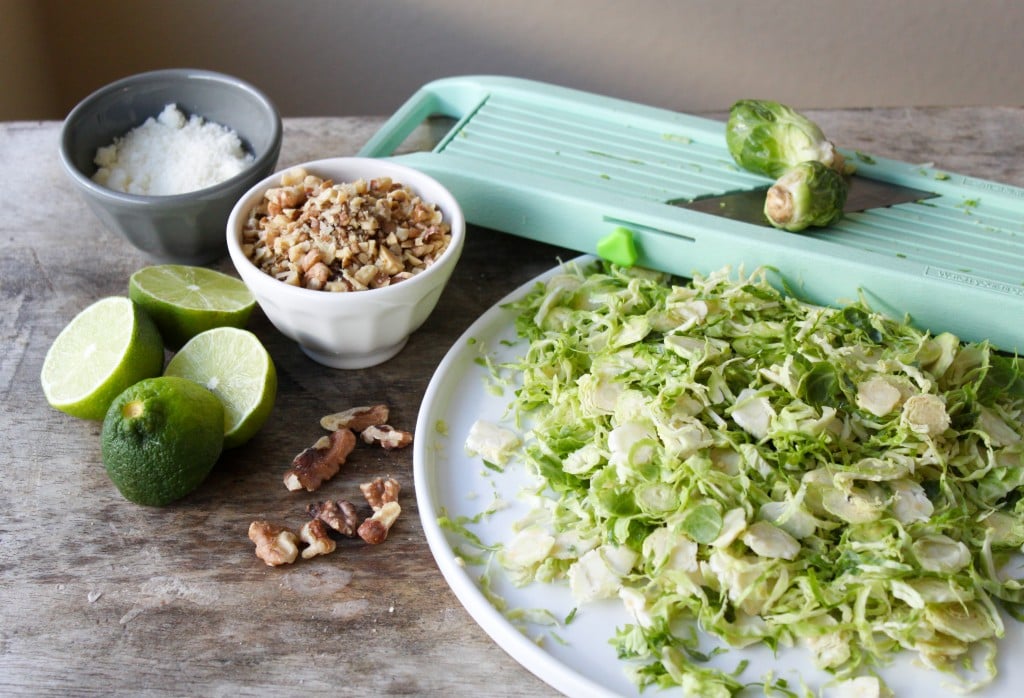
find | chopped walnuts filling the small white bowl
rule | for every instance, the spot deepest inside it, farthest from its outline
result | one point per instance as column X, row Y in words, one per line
column 344, row 237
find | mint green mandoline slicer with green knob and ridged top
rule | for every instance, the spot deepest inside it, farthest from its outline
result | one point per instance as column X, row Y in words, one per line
column 611, row 178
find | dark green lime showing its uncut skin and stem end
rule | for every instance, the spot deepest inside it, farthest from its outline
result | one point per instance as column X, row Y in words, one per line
column 161, row 439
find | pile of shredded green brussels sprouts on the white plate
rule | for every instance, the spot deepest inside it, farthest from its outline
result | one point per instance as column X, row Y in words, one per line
column 719, row 455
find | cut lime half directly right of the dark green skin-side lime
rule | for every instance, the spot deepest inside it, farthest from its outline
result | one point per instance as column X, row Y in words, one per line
column 236, row 367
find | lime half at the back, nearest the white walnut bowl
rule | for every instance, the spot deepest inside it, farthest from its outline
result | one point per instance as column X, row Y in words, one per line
column 188, row 300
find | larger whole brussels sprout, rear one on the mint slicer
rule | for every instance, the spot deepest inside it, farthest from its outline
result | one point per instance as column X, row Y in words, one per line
column 770, row 139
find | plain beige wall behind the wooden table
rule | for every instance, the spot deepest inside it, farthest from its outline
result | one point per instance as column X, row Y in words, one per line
column 338, row 58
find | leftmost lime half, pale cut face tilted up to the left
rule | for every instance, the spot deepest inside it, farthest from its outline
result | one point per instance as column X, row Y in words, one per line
column 108, row 347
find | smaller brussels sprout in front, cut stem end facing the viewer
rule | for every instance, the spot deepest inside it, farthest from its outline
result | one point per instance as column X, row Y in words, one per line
column 808, row 195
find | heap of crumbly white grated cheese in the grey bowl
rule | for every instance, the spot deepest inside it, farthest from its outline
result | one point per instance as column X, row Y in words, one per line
column 172, row 155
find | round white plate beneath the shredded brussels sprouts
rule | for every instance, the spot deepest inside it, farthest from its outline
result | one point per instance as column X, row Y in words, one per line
column 581, row 662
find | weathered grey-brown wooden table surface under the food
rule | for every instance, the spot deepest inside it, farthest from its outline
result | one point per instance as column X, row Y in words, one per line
column 101, row 597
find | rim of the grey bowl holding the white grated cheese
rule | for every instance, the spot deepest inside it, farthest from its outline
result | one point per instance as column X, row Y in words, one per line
column 186, row 75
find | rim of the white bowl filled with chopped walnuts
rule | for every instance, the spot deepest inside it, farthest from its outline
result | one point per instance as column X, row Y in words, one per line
column 257, row 277
